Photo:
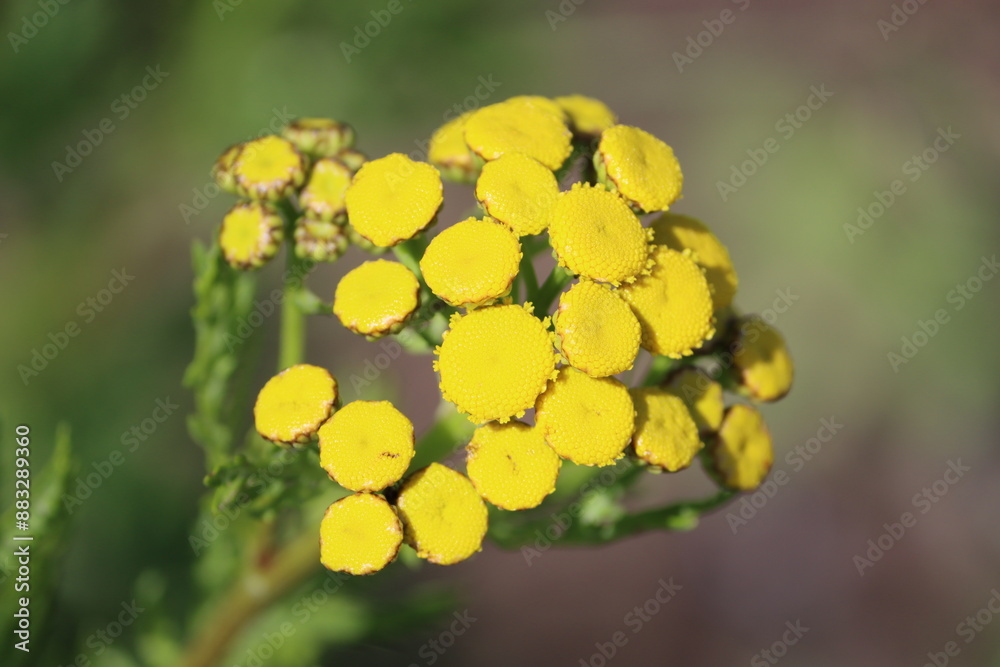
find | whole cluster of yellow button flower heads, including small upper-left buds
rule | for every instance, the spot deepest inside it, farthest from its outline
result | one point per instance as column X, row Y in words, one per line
column 548, row 173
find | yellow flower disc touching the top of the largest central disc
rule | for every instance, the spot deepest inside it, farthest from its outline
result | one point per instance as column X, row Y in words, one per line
column 472, row 262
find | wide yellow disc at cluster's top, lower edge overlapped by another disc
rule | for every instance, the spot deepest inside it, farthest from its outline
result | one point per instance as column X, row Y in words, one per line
column 519, row 126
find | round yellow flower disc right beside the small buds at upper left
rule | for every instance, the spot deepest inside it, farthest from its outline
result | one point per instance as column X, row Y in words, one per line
column 392, row 198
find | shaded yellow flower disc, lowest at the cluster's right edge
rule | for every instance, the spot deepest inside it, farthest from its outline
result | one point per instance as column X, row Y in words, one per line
column 743, row 453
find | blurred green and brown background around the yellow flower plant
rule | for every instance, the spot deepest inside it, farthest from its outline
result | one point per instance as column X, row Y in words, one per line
column 229, row 69
